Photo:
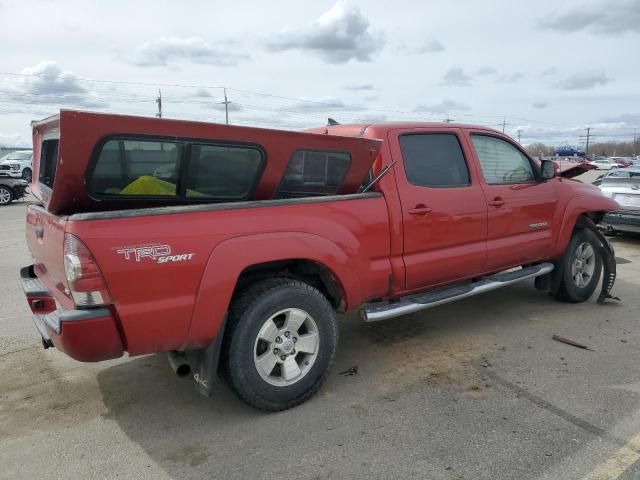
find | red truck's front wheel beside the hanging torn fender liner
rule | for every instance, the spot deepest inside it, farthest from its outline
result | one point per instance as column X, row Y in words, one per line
column 581, row 268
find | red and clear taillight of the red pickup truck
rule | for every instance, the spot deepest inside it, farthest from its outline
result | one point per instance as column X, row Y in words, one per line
column 84, row 279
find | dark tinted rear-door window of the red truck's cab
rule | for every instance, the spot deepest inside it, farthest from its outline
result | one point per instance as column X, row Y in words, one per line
column 434, row 160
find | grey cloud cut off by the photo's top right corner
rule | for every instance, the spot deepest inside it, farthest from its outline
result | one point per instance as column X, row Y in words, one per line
column 606, row 18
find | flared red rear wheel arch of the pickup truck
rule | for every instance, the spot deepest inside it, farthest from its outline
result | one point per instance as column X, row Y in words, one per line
column 297, row 255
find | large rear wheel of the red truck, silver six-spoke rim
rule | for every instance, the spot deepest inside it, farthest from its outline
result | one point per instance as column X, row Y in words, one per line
column 279, row 345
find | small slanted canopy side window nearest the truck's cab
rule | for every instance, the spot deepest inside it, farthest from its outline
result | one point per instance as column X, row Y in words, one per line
column 312, row 172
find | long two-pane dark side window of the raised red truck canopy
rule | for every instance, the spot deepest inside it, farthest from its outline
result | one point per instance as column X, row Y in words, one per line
column 174, row 170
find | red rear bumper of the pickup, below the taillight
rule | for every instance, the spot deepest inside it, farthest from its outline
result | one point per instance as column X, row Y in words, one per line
column 87, row 335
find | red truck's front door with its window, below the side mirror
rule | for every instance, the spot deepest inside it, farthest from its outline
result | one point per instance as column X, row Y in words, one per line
column 520, row 205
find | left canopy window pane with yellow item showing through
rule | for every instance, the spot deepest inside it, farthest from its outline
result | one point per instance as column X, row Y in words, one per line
column 135, row 167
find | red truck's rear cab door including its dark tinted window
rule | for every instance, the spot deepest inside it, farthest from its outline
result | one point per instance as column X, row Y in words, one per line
column 443, row 209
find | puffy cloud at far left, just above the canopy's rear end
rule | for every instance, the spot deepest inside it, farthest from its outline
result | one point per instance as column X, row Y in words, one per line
column 47, row 84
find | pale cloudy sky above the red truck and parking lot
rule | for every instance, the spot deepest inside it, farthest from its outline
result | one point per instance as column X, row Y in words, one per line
column 541, row 70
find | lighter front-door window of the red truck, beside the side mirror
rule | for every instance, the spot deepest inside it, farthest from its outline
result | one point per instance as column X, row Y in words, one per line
column 501, row 162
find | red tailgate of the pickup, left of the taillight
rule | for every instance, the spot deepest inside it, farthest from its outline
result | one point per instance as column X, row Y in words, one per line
column 45, row 238
